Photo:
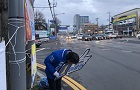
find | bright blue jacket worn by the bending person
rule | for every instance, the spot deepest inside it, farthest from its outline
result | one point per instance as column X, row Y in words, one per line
column 54, row 62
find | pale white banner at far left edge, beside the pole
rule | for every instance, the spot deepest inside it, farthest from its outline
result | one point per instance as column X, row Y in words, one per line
column 2, row 67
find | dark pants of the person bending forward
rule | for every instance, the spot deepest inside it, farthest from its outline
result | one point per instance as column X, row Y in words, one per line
column 54, row 85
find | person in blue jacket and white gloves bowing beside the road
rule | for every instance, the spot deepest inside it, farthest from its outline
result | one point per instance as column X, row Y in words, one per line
column 53, row 63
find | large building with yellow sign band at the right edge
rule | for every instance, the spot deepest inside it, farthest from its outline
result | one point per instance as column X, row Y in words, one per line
column 127, row 23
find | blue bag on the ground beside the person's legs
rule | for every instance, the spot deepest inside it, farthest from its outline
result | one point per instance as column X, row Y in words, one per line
column 43, row 85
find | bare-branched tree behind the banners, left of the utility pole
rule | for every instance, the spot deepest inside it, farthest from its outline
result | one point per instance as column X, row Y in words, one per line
column 40, row 22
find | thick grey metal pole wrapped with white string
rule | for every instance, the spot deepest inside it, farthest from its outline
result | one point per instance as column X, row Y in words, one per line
column 17, row 45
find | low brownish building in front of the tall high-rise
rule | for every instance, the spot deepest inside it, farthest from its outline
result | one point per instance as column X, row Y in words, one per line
column 89, row 28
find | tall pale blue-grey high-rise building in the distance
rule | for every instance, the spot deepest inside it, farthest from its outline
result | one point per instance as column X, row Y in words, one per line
column 79, row 21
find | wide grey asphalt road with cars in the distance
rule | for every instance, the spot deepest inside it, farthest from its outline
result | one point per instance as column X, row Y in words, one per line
column 115, row 64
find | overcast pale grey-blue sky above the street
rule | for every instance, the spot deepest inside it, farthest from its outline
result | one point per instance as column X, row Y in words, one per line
column 91, row 8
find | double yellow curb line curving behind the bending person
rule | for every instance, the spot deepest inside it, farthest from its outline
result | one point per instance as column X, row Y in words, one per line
column 72, row 83
